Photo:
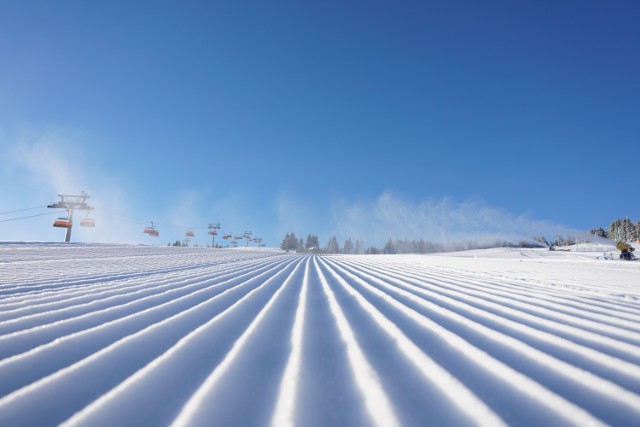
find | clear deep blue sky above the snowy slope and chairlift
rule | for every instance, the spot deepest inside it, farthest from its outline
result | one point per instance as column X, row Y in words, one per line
column 283, row 115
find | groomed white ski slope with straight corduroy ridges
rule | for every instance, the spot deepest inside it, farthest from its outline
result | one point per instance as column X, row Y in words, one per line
column 107, row 335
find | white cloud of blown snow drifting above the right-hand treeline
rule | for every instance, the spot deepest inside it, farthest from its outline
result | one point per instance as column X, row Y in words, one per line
column 441, row 221
